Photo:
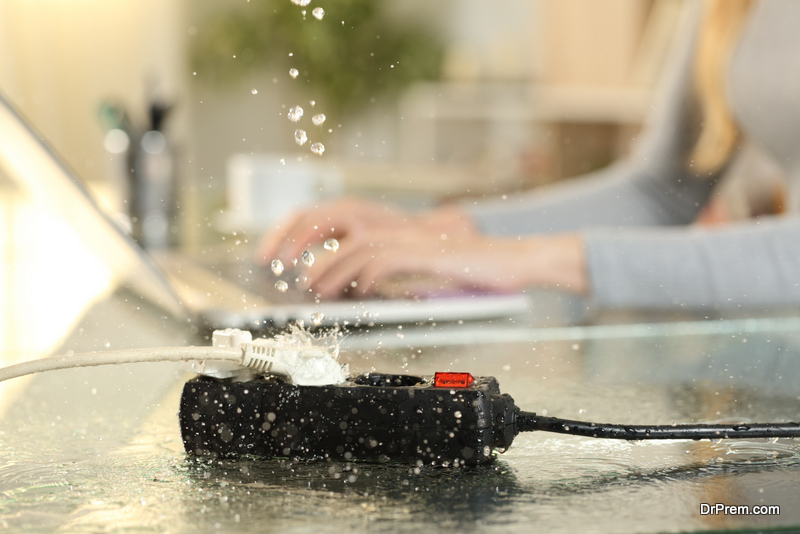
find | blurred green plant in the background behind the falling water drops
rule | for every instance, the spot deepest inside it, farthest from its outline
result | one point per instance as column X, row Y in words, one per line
column 350, row 56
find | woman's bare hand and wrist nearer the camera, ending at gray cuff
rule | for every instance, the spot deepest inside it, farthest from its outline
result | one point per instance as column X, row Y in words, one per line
column 465, row 261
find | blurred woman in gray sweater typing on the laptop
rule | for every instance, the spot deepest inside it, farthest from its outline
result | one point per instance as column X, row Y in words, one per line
column 625, row 236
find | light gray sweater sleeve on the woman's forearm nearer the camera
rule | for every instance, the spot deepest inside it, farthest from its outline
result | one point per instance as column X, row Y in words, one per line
column 755, row 263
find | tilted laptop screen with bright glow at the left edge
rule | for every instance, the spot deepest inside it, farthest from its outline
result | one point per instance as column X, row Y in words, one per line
column 59, row 251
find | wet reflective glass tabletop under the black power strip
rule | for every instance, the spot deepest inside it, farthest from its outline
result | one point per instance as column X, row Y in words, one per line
column 99, row 449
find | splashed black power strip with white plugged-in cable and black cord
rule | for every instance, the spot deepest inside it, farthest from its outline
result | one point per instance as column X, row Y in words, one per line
column 289, row 397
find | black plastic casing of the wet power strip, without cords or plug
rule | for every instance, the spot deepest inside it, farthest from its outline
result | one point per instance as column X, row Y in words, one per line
column 374, row 417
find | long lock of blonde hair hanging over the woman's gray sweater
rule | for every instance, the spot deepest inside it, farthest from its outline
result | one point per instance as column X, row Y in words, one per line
column 719, row 132
